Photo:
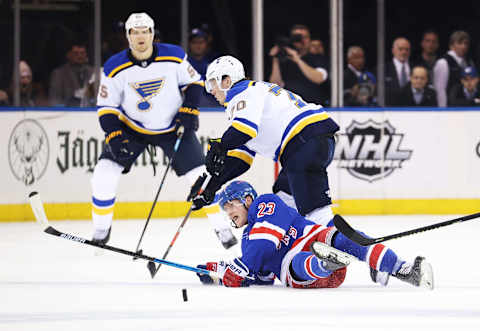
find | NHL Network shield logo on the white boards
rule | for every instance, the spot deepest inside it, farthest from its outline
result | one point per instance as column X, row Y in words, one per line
column 370, row 150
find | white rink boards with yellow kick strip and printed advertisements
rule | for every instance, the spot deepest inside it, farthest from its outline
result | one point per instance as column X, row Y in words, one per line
column 387, row 161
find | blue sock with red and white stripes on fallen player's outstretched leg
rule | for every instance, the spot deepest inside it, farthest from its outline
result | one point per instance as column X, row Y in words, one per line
column 376, row 256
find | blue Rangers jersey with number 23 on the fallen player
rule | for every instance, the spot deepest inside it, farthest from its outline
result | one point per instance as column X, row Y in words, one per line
column 272, row 229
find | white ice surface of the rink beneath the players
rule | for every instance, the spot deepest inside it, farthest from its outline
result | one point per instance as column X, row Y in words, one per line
column 48, row 283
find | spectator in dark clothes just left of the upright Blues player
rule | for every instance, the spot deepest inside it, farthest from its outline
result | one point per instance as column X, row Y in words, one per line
column 68, row 82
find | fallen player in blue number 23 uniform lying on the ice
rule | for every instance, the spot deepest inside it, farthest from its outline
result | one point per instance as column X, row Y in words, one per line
column 278, row 242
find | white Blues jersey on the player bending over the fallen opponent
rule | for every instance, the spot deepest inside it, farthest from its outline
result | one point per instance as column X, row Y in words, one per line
column 271, row 116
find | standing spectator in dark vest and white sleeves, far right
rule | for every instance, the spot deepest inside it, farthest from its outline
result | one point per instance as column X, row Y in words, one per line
column 448, row 69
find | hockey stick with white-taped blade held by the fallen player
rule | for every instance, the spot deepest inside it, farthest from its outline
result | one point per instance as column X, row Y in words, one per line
column 41, row 218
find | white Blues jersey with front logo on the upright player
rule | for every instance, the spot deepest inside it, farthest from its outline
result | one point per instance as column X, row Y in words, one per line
column 146, row 95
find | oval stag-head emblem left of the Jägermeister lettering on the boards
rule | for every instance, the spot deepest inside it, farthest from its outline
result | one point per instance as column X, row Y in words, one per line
column 28, row 151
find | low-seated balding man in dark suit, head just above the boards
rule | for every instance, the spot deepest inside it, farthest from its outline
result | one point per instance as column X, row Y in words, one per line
column 417, row 93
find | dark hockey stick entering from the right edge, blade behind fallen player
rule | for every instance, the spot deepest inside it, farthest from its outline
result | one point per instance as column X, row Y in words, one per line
column 362, row 240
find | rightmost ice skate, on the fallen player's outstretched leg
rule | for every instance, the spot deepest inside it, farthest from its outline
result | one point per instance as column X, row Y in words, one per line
column 419, row 274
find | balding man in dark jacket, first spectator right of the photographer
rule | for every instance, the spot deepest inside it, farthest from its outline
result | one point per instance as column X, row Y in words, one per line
column 359, row 84
